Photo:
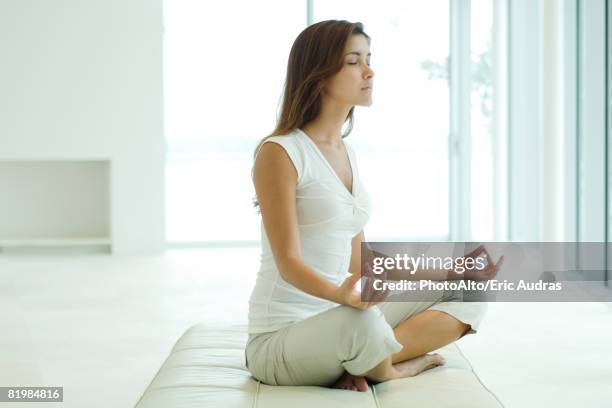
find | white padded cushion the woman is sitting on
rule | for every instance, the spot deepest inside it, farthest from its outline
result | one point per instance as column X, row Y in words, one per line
column 206, row 369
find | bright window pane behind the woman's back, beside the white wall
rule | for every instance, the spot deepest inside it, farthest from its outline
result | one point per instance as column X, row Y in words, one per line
column 223, row 74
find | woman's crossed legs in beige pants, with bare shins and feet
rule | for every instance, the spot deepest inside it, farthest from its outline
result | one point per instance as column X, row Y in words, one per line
column 319, row 349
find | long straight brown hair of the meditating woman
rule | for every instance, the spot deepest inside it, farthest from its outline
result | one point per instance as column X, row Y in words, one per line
column 316, row 55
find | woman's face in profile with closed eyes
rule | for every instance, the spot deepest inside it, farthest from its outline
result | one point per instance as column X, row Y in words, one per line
column 353, row 84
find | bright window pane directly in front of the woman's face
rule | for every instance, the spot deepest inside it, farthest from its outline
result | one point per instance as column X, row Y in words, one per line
column 401, row 140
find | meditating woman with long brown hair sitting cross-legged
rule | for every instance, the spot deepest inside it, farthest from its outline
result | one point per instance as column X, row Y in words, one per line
column 307, row 323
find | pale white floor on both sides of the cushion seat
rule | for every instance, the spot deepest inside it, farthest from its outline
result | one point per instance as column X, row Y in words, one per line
column 100, row 326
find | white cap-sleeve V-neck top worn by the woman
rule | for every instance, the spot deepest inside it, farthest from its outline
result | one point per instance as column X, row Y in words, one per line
column 329, row 216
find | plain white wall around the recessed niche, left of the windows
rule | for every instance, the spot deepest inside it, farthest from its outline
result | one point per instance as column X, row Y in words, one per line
column 83, row 80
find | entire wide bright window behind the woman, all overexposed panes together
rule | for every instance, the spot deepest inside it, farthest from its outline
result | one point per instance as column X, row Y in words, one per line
column 224, row 69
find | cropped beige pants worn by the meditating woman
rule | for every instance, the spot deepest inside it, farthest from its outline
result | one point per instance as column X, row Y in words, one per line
column 317, row 350
